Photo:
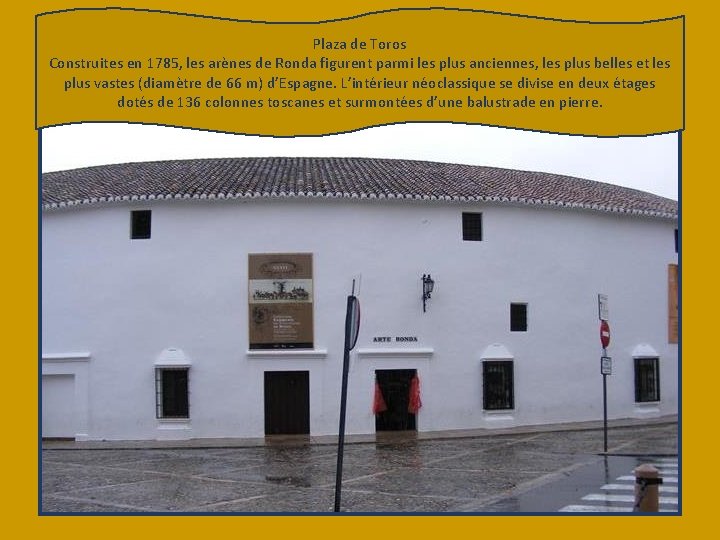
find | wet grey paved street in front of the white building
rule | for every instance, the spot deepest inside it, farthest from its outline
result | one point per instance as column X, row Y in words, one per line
column 540, row 470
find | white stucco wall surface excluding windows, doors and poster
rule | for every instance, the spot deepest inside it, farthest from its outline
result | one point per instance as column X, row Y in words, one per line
column 125, row 301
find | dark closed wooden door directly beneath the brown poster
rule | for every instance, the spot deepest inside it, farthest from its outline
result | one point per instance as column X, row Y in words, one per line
column 287, row 403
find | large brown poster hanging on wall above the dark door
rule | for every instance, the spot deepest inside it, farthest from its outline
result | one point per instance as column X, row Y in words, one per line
column 280, row 300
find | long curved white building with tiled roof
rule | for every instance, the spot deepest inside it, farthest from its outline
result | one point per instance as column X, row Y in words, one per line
column 206, row 298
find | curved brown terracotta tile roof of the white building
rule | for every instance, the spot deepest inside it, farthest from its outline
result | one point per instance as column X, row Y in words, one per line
column 349, row 178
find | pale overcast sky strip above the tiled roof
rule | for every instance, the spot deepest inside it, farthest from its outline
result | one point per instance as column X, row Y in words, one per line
column 645, row 163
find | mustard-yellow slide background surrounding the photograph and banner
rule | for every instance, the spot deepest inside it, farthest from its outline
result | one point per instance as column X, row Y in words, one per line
column 20, row 488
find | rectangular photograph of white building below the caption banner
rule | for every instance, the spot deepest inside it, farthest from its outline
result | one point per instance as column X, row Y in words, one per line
column 512, row 347
